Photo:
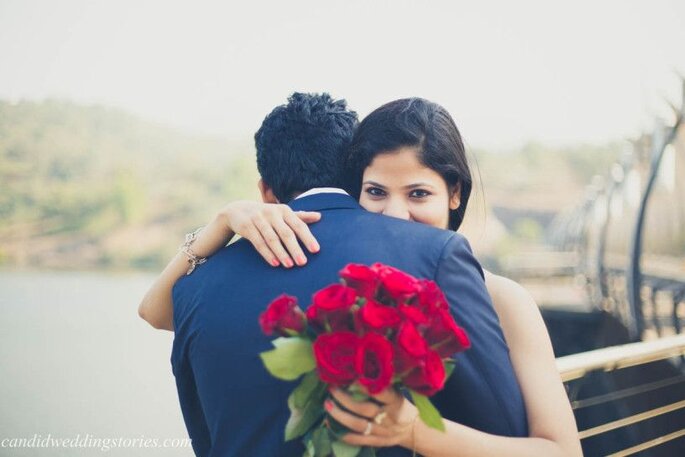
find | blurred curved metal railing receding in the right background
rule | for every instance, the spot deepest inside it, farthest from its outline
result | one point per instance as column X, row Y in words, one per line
column 644, row 300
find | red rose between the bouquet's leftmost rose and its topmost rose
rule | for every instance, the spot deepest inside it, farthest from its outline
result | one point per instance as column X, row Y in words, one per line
column 330, row 309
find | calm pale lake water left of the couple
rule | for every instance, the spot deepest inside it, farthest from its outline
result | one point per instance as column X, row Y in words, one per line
column 78, row 364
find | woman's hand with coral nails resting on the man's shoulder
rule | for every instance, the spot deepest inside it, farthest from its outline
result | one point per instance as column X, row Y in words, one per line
column 273, row 230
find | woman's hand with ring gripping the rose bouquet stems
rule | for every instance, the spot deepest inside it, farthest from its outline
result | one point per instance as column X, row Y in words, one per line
column 391, row 422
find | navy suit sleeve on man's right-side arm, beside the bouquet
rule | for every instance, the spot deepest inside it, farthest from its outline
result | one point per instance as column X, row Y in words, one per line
column 484, row 381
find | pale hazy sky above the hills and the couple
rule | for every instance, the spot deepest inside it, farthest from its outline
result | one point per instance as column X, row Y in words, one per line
column 508, row 71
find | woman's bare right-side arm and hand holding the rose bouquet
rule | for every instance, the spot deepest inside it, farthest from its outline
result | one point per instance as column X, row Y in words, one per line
column 552, row 426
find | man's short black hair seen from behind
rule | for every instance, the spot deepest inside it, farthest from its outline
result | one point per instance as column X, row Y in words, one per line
column 303, row 144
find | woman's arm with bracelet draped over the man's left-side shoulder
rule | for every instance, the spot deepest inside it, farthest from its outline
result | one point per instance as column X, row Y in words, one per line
column 272, row 228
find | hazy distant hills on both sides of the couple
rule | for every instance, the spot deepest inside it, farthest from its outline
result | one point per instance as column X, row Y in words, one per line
column 97, row 187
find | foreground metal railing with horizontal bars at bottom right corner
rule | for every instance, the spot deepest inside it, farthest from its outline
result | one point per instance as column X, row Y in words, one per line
column 583, row 368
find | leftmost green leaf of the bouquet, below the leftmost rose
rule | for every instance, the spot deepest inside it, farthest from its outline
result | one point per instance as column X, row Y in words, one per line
column 291, row 358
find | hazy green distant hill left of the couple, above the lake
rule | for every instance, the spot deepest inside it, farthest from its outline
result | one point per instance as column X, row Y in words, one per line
column 86, row 186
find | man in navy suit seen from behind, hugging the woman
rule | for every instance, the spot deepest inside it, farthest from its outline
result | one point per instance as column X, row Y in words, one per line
column 231, row 405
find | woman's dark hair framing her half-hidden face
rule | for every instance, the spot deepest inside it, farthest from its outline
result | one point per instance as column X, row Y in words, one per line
column 420, row 124
